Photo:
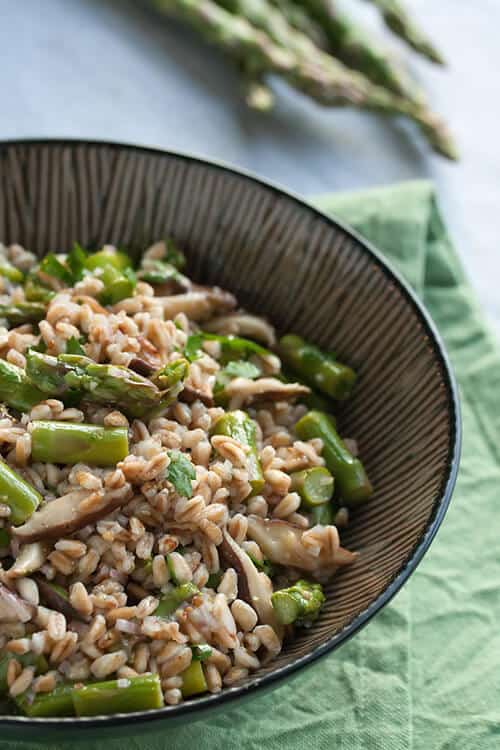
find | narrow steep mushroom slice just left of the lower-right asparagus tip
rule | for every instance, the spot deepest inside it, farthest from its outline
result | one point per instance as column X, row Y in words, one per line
column 253, row 586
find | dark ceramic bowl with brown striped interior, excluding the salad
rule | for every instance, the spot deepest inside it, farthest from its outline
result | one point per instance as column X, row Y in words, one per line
column 307, row 273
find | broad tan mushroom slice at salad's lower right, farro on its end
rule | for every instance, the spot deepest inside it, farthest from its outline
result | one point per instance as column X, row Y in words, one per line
column 281, row 543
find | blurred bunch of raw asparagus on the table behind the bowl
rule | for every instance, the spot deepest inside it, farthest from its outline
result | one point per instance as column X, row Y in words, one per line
column 320, row 52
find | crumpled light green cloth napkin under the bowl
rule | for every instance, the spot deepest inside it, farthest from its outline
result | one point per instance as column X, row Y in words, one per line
column 425, row 673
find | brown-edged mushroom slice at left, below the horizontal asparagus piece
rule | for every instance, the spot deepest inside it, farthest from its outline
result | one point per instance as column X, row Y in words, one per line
column 68, row 513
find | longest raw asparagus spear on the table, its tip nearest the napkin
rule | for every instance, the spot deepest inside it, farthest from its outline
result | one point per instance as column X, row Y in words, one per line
column 276, row 47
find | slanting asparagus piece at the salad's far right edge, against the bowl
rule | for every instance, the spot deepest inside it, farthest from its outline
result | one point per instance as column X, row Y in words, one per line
column 349, row 473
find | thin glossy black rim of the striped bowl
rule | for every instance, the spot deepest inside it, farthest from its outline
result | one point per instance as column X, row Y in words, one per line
column 228, row 696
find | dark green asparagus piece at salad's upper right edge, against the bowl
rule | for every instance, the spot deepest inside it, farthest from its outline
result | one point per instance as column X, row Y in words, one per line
column 317, row 368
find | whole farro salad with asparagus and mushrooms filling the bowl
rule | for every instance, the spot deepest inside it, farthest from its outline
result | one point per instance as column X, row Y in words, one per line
column 171, row 483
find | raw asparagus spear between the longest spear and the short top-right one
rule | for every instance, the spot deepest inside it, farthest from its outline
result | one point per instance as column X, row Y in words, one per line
column 354, row 47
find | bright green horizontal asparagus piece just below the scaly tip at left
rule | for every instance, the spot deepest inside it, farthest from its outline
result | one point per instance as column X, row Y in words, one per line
column 67, row 443
